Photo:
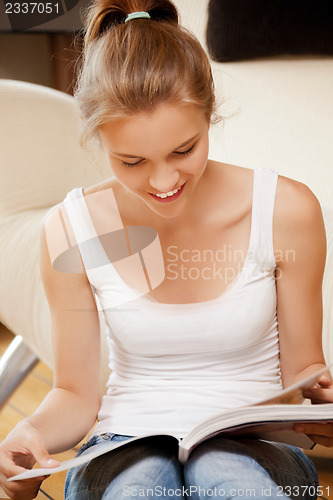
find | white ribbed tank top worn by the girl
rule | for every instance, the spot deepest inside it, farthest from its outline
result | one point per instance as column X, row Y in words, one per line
column 173, row 365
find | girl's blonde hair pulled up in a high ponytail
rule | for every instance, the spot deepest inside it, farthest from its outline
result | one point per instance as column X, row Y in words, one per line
column 134, row 66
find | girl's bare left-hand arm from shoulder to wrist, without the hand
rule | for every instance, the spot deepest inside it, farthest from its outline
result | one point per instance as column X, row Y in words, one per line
column 70, row 409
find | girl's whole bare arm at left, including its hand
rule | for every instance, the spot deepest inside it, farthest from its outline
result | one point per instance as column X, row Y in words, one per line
column 69, row 410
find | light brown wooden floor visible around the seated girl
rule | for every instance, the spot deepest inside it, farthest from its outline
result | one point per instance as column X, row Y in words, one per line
column 27, row 397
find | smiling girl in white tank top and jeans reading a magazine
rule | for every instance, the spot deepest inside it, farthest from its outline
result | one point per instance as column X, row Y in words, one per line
column 208, row 276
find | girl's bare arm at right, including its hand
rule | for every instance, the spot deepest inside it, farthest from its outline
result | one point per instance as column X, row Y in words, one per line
column 301, row 244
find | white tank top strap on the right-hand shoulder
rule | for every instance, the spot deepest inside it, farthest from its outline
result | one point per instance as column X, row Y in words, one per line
column 261, row 241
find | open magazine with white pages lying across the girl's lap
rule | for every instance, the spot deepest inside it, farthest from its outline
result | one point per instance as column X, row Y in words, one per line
column 271, row 419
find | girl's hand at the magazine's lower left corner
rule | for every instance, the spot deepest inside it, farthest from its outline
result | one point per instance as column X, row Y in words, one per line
column 22, row 448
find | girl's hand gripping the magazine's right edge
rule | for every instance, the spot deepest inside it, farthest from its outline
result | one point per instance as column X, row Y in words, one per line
column 321, row 433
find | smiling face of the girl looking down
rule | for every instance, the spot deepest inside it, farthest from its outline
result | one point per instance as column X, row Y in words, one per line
column 159, row 156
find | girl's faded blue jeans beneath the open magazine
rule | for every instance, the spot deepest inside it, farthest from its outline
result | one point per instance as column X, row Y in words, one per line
column 217, row 468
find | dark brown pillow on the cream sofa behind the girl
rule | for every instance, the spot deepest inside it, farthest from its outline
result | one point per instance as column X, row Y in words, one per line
column 244, row 29
